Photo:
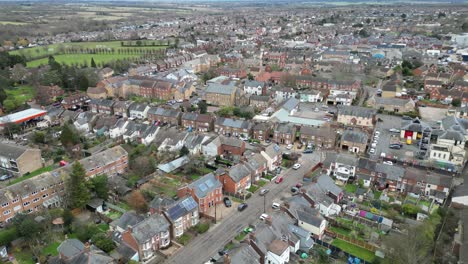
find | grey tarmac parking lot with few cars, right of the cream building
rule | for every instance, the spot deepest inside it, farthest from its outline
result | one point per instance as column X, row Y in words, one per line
column 407, row 152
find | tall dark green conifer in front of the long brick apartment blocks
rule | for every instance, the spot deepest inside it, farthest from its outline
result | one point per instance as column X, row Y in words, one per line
column 78, row 193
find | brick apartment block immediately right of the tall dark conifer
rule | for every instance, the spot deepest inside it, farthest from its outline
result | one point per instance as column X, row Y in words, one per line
column 110, row 162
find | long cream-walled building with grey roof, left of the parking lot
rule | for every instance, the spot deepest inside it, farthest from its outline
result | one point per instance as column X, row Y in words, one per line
column 356, row 116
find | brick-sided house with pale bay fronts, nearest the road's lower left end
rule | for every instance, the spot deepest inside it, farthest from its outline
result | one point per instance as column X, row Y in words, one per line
column 148, row 236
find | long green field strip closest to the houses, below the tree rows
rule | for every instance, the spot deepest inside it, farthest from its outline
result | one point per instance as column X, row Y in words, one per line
column 79, row 59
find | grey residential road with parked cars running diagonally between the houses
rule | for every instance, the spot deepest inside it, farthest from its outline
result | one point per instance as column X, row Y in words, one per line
column 200, row 249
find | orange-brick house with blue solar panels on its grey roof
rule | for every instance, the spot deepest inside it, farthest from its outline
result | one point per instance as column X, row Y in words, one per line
column 206, row 191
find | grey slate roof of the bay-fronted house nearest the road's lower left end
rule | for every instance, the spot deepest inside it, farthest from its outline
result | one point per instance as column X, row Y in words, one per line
column 149, row 228
